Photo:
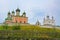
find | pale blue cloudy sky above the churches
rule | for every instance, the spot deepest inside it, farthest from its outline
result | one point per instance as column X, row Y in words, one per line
column 35, row 9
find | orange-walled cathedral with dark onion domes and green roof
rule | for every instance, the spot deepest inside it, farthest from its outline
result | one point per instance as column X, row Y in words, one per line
column 16, row 17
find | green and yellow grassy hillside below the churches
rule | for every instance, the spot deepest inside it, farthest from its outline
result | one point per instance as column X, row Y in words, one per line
column 28, row 31
